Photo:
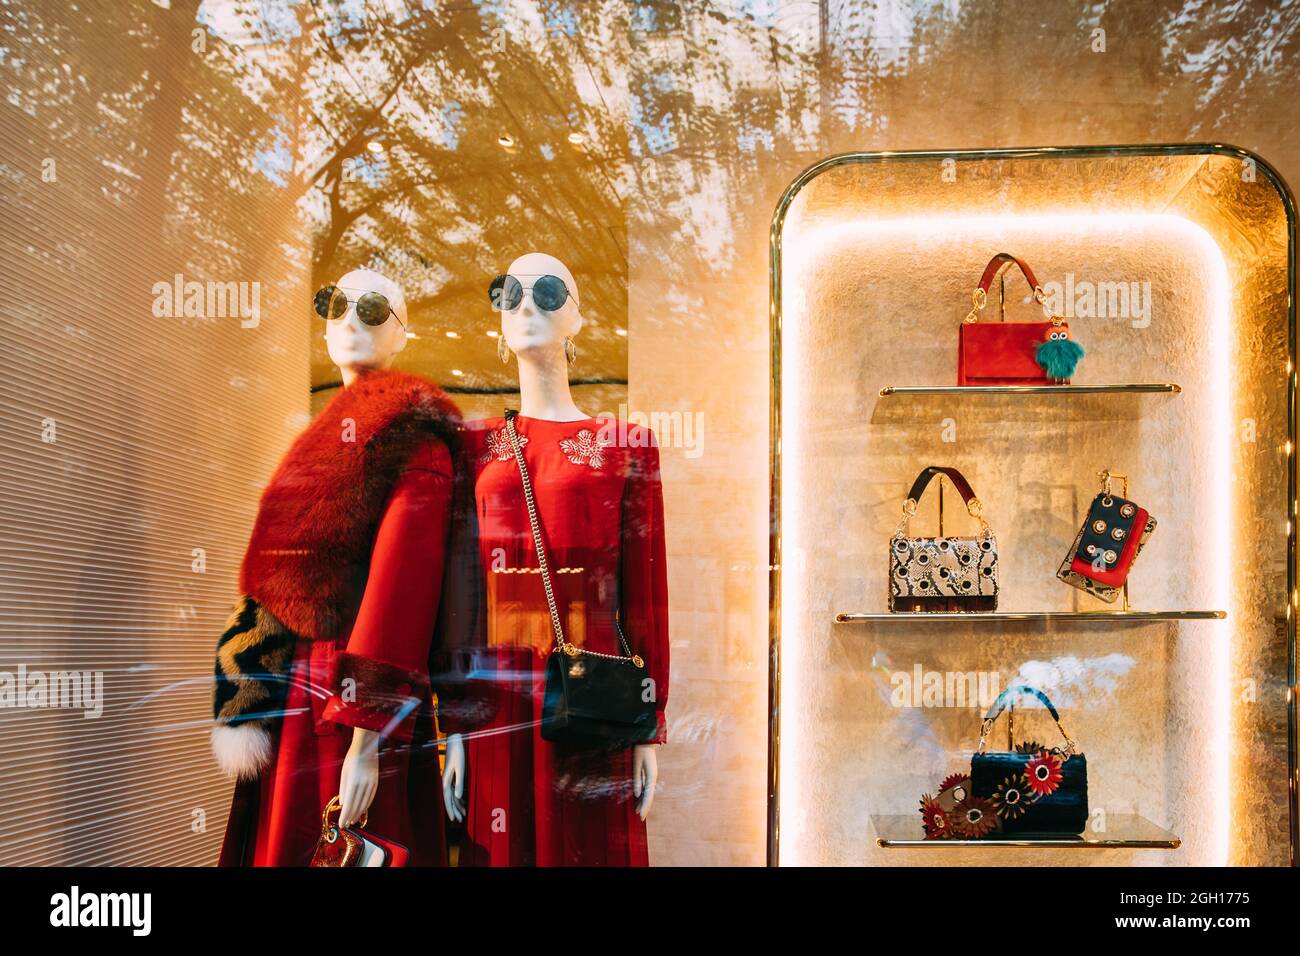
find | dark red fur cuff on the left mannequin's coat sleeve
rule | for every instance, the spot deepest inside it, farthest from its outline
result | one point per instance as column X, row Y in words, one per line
column 379, row 697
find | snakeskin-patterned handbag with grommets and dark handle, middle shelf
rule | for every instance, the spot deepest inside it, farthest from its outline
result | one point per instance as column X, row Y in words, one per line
column 943, row 574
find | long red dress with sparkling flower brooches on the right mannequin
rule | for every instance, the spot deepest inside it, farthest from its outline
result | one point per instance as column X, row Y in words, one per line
column 600, row 503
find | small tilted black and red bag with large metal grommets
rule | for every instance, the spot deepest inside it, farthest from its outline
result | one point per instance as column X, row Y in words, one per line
column 1108, row 544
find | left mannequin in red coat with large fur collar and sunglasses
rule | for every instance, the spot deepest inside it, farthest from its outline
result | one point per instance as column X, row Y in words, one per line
column 323, row 678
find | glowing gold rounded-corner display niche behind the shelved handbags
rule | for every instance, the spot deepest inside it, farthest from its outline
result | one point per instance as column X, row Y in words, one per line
column 1175, row 267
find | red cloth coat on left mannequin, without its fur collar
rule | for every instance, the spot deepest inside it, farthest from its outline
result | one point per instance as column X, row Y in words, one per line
column 276, row 820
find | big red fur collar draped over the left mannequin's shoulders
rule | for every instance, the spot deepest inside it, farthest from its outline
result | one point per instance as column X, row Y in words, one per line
column 310, row 552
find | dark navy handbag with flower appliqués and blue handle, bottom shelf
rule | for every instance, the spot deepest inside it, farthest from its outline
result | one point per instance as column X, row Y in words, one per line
column 1033, row 790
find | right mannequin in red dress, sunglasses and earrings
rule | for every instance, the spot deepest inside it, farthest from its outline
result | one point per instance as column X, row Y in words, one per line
column 528, row 801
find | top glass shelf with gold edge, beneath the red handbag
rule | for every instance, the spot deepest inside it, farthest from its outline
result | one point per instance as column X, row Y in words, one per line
column 1121, row 403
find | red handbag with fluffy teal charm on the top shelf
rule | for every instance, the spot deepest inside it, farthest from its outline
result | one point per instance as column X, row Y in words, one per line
column 1038, row 353
